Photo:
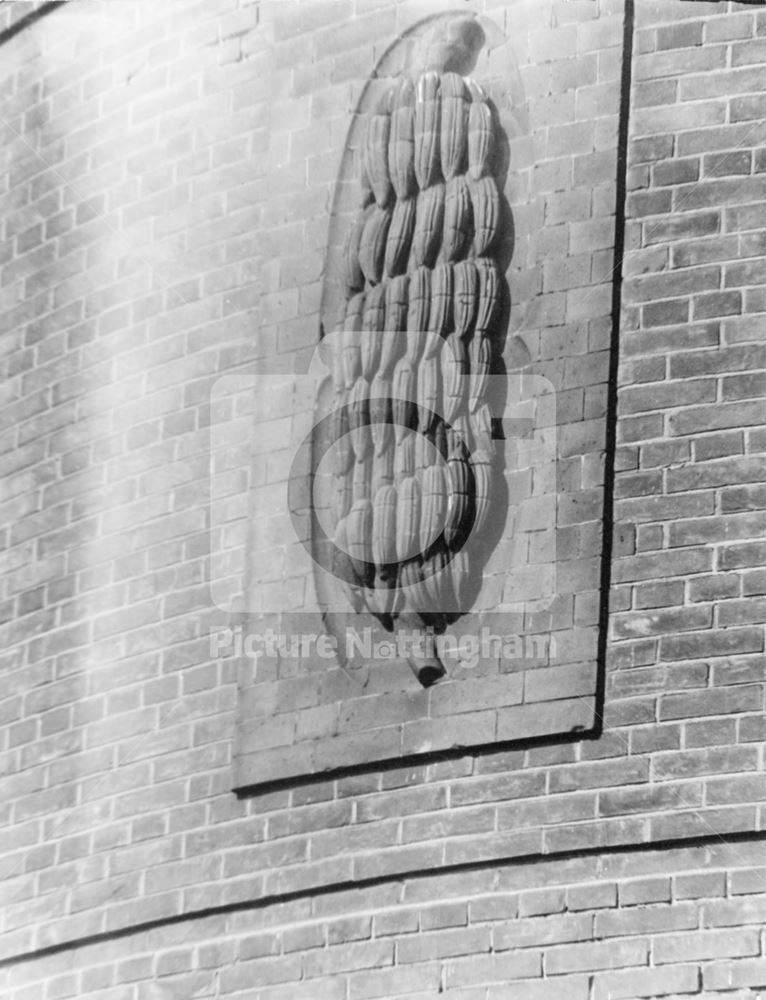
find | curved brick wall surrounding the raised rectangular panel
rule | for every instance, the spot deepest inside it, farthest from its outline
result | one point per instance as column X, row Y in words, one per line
column 145, row 253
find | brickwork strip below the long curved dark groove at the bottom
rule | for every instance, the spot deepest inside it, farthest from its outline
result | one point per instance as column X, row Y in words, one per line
column 680, row 923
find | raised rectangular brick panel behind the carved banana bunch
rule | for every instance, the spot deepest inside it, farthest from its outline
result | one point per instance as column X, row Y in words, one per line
column 541, row 583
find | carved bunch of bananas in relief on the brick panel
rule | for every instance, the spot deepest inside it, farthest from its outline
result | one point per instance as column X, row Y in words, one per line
column 418, row 342
